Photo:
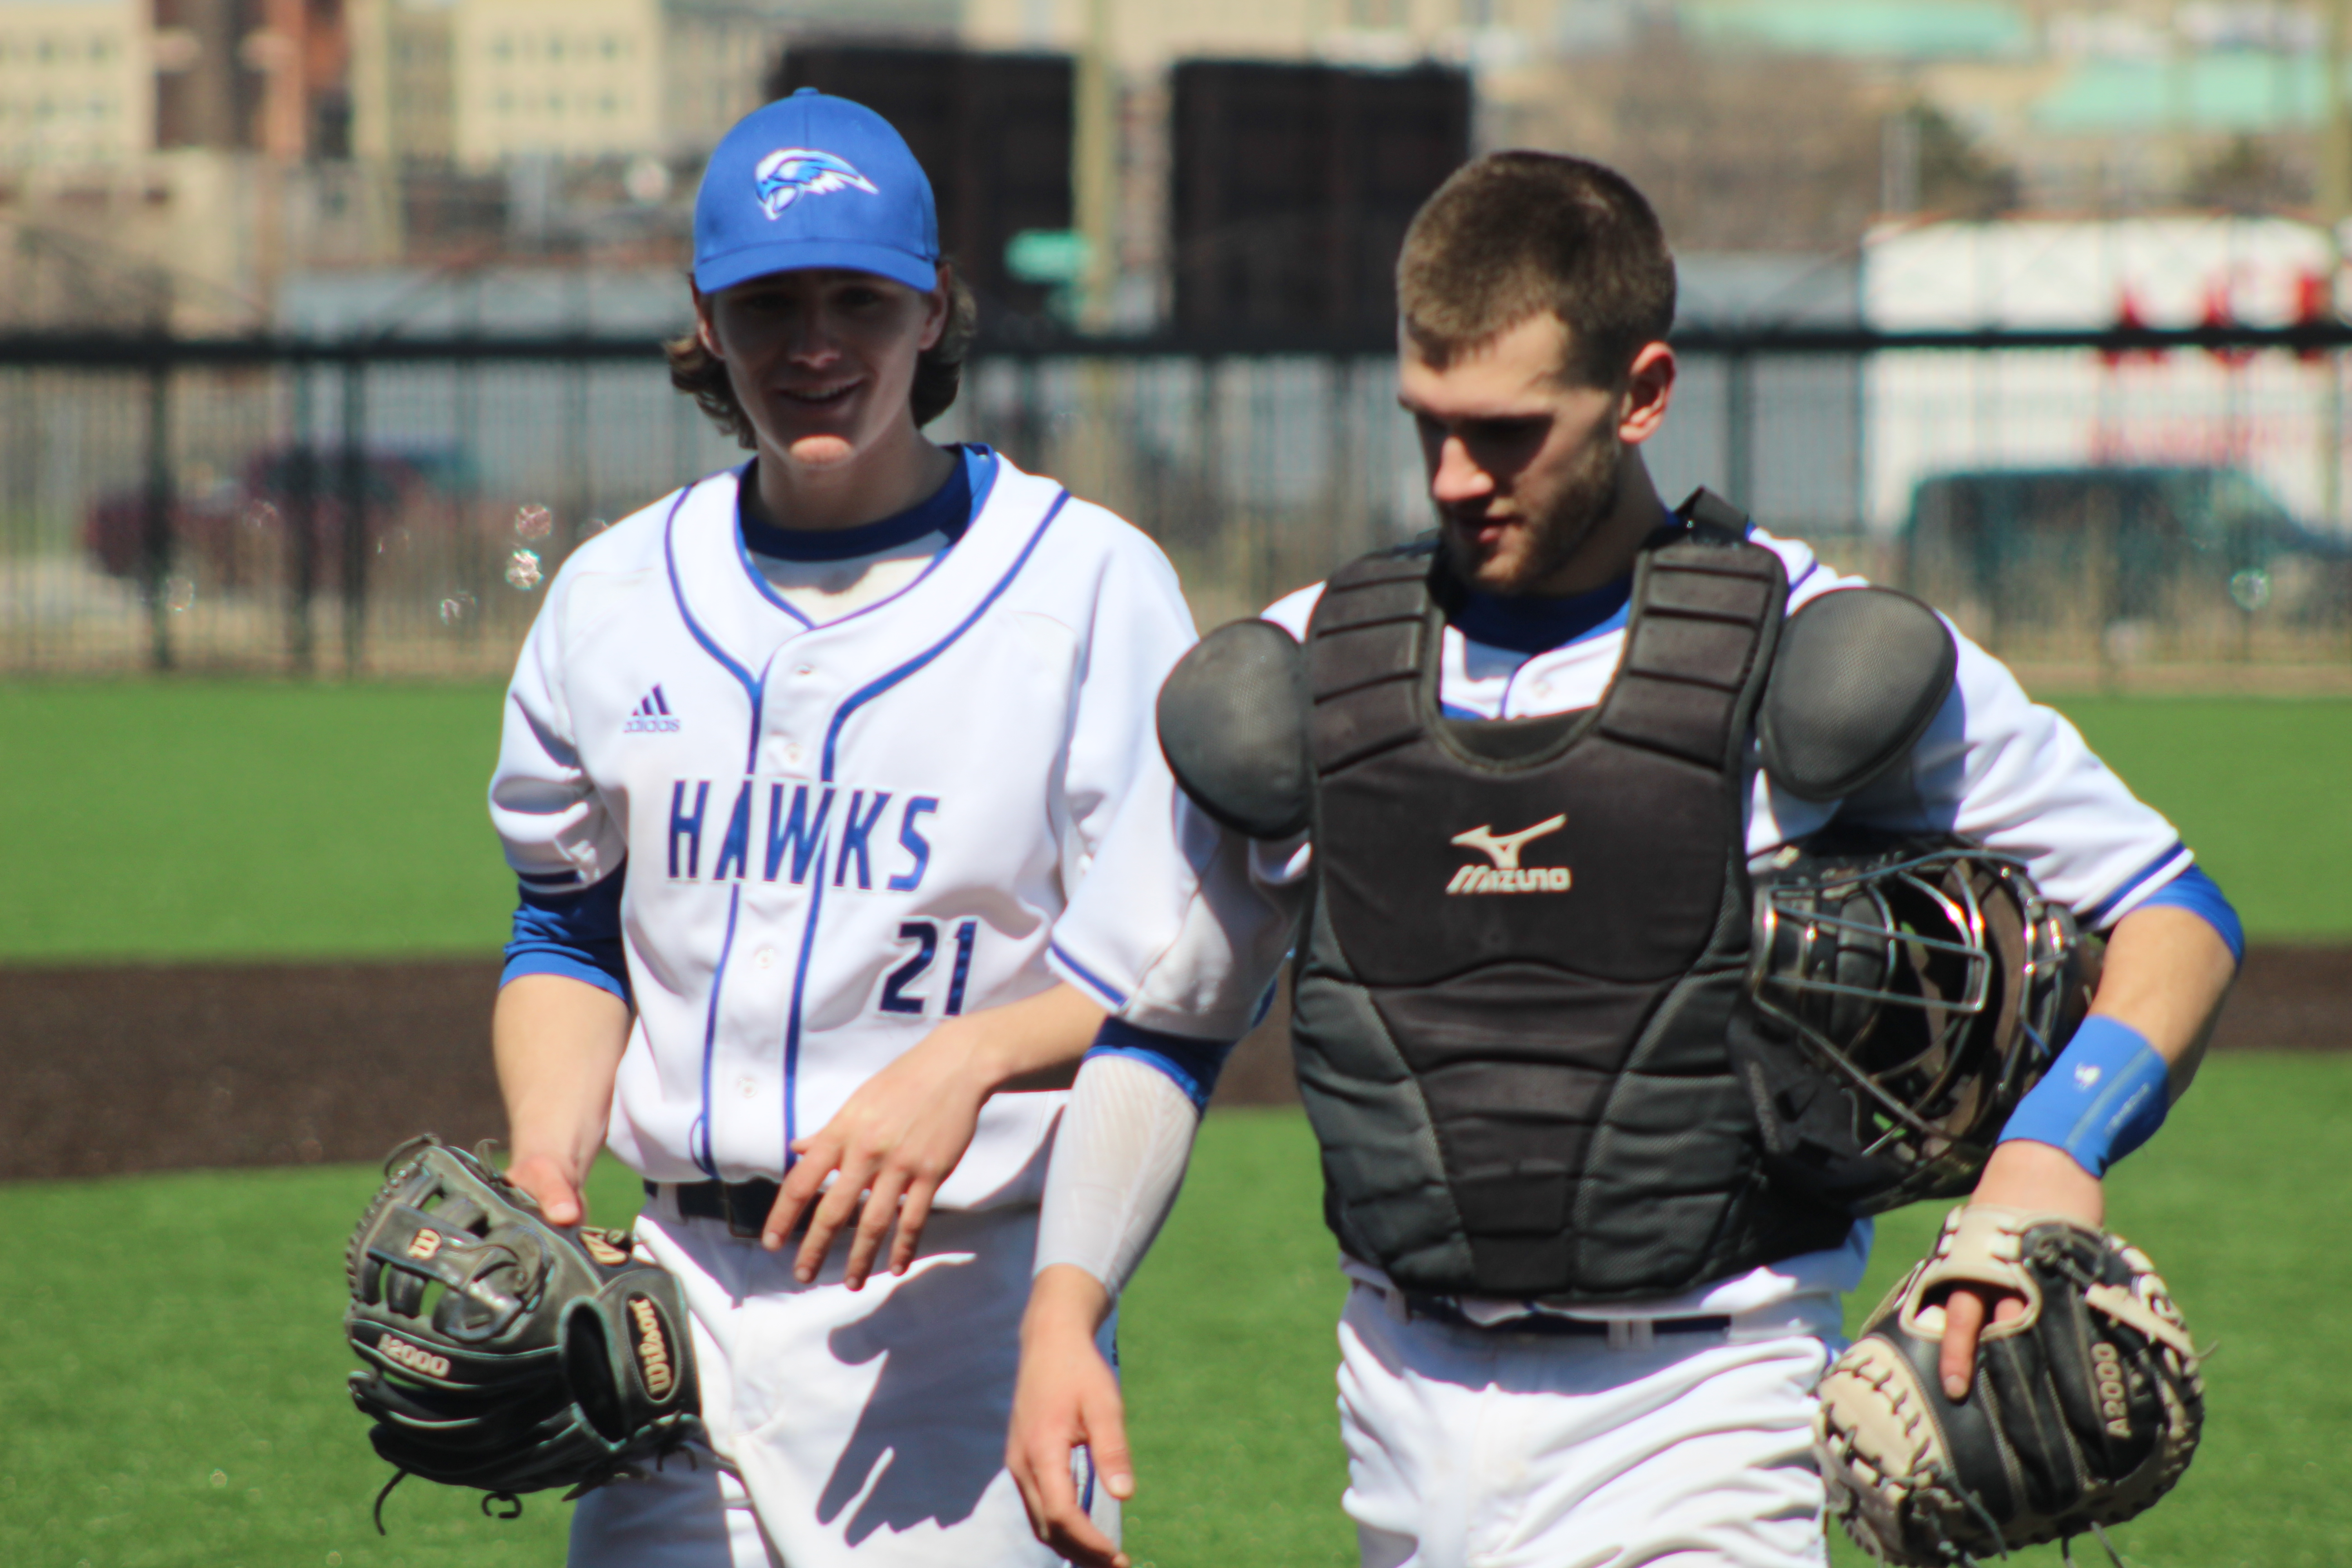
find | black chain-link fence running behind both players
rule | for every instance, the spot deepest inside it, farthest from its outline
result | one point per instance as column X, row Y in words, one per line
column 396, row 507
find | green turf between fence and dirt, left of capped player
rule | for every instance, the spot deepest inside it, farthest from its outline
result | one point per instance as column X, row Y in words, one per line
column 243, row 819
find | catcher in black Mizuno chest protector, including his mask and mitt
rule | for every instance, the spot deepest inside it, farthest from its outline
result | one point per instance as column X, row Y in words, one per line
column 1549, row 810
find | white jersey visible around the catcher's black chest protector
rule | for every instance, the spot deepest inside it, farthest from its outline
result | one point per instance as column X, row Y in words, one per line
column 1184, row 925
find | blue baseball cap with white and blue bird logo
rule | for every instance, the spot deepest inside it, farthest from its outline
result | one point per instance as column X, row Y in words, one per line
column 815, row 182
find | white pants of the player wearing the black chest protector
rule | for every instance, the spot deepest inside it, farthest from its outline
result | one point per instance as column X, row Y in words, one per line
column 1490, row 1449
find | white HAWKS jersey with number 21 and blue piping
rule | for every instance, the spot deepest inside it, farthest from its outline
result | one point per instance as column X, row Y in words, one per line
column 834, row 836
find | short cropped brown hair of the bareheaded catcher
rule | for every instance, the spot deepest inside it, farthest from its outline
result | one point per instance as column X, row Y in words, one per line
column 1516, row 234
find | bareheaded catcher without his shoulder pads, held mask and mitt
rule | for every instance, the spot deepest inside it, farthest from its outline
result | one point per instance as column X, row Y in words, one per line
column 1584, row 1327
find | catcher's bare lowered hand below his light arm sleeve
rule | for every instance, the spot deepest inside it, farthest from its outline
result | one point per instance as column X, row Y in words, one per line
column 1069, row 1400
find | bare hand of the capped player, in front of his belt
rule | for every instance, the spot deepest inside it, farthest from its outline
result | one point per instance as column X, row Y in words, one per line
column 893, row 1144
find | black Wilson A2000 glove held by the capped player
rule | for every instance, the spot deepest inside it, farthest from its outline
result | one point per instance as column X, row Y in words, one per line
column 507, row 1353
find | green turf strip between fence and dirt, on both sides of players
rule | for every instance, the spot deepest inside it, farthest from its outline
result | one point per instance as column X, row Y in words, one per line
column 236, row 822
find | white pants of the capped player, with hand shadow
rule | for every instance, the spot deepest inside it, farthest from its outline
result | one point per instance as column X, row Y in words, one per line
column 848, row 1428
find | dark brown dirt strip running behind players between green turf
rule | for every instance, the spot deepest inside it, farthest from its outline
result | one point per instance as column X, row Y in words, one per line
column 168, row 1068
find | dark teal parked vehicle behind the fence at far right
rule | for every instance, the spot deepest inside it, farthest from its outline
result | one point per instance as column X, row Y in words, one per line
column 2141, row 532
